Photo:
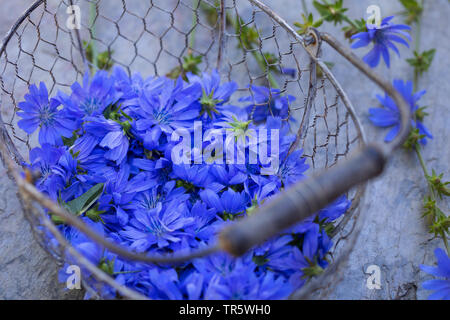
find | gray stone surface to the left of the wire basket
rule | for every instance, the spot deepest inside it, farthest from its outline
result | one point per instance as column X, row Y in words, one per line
column 26, row 271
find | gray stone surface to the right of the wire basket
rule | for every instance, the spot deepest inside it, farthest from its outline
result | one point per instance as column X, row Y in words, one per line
column 395, row 236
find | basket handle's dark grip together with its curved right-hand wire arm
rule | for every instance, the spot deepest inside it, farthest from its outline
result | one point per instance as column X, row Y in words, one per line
column 307, row 197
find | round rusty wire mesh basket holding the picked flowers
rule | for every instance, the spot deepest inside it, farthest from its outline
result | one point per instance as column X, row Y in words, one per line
column 154, row 36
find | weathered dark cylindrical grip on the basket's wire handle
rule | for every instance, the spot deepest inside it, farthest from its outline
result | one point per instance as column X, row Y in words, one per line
column 302, row 200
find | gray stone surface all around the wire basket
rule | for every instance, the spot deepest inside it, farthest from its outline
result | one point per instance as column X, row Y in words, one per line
column 394, row 237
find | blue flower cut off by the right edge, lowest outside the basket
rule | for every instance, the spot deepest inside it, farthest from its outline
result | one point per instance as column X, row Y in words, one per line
column 441, row 287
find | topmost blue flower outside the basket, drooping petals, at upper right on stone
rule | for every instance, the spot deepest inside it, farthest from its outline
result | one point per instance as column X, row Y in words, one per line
column 383, row 38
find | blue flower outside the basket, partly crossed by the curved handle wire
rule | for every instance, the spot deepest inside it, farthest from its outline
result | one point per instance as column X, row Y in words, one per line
column 389, row 115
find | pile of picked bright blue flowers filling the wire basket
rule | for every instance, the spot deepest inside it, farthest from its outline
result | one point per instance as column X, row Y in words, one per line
column 105, row 154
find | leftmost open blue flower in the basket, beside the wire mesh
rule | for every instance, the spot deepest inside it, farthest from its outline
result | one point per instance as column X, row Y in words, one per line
column 39, row 112
